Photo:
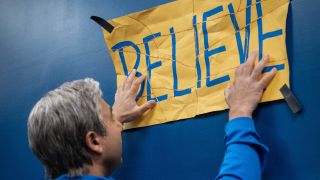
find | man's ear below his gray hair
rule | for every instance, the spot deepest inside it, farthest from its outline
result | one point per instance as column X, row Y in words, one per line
column 94, row 142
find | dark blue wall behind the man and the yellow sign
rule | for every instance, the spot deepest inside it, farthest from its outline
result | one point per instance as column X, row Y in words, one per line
column 45, row 43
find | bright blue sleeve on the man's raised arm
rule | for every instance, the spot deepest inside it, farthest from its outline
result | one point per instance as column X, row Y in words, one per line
column 245, row 156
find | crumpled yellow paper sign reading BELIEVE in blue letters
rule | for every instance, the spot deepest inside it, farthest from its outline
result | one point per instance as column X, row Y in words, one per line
column 189, row 50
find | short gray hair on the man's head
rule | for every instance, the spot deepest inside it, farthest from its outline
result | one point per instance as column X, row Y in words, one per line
column 58, row 124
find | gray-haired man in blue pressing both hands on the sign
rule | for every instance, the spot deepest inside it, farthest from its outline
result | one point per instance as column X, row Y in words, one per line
column 77, row 135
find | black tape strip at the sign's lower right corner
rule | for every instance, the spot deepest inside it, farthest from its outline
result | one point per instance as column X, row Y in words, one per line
column 292, row 101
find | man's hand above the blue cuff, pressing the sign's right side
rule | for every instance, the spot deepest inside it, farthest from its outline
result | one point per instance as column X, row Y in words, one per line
column 245, row 93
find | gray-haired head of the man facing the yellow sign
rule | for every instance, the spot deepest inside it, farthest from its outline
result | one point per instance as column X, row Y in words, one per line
column 71, row 128
